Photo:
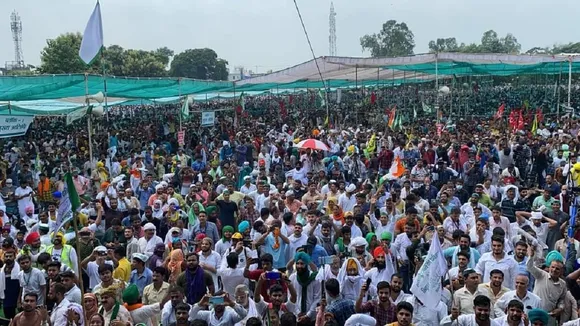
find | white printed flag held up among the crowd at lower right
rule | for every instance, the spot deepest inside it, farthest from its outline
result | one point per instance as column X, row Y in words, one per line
column 427, row 284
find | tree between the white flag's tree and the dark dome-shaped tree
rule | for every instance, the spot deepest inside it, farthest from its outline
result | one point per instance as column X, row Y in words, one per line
column 139, row 63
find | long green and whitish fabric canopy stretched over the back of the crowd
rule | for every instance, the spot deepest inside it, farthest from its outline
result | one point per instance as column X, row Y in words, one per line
column 60, row 94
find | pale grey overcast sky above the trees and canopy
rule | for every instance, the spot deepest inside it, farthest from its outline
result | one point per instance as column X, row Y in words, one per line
column 266, row 34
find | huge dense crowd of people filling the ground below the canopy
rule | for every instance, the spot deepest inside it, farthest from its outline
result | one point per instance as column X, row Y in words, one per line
column 239, row 225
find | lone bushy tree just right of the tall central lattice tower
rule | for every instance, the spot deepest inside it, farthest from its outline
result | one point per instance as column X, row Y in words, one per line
column 394, row 40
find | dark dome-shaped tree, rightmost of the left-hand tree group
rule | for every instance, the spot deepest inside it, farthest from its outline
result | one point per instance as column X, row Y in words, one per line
column 199, row 64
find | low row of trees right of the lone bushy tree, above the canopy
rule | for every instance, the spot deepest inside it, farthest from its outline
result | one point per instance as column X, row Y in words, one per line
column 490, row 43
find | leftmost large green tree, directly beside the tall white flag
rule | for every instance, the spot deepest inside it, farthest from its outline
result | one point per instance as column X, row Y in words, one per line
column 61, row 56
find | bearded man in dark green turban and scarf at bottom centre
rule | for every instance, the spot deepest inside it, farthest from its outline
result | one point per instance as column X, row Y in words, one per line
column 307, row 287
